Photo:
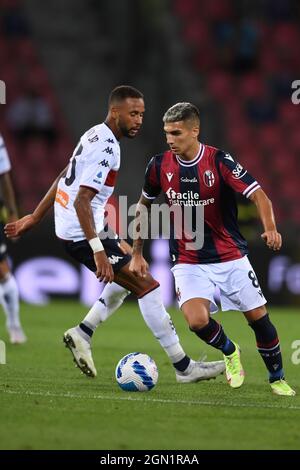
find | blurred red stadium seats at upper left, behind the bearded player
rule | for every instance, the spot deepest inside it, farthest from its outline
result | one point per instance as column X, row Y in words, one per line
column 26, row 72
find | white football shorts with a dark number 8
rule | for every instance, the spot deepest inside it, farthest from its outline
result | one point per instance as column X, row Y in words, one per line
column 235, row 280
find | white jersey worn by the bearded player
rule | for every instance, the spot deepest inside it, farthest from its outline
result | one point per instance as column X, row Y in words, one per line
column 94, row 164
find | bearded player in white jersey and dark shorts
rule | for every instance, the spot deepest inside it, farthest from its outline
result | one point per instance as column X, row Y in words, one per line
column 80, row 194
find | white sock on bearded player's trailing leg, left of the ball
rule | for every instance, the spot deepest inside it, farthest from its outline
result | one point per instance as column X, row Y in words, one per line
column 111, row 299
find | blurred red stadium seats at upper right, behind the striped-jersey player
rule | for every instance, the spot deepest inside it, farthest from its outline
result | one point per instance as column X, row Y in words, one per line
column 253, row 58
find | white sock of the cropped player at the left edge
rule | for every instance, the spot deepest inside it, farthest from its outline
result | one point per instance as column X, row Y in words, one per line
column 9, row 299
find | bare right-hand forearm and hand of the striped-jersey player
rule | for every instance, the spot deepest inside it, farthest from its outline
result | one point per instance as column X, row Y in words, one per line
column 271, row 237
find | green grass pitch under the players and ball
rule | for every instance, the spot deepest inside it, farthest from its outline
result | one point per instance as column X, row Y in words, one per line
column 45, row 403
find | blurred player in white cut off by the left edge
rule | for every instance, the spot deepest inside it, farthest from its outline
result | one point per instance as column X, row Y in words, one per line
column 9, row 293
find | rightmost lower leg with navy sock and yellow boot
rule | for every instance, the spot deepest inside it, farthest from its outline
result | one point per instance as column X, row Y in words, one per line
column 269, row 348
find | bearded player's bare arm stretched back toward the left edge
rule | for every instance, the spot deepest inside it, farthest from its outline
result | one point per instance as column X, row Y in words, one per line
column 20, row 226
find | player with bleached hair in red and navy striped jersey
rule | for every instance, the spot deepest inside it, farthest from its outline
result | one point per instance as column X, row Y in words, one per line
column 192, row 174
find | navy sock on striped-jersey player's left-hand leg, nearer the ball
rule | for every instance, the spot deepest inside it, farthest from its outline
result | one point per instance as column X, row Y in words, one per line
column 213, row 334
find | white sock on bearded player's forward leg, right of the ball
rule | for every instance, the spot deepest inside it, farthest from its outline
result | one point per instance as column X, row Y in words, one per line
column 161, row 325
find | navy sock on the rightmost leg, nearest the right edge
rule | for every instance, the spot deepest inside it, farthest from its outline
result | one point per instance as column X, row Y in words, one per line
column 268, row 347
